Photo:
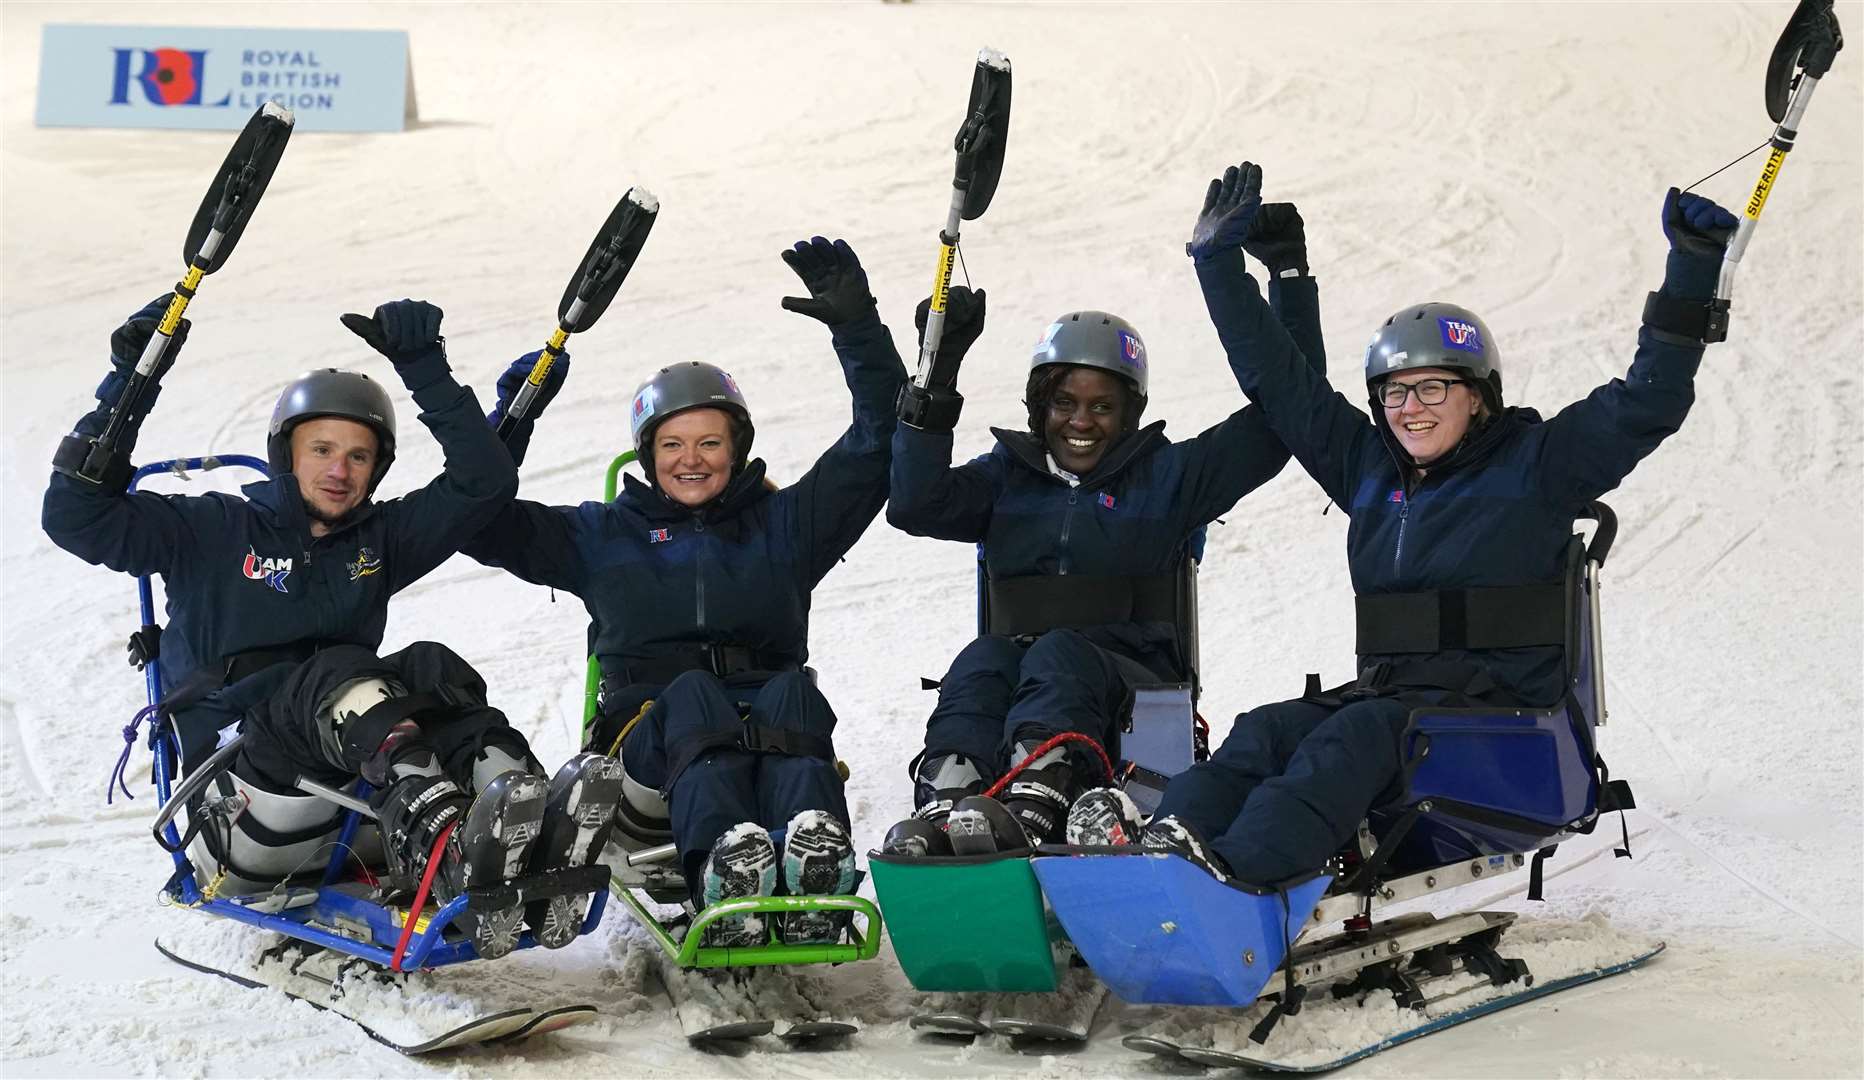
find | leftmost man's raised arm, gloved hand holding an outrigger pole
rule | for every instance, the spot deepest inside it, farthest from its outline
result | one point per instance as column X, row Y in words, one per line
column 111, row 527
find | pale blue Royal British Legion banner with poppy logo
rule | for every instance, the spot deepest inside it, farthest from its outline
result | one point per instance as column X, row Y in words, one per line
column 213, row 77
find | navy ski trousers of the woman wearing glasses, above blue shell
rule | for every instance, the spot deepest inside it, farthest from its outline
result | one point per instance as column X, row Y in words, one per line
column 1293, row 782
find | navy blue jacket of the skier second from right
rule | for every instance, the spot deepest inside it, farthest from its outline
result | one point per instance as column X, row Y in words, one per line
column 1132, row 516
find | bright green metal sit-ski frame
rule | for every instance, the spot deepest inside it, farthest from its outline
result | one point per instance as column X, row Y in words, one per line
column 631, row 883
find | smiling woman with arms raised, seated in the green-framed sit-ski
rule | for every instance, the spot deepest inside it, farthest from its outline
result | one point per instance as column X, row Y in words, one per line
column 698, row 587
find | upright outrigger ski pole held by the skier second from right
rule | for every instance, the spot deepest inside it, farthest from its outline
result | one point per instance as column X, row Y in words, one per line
column 980, row 145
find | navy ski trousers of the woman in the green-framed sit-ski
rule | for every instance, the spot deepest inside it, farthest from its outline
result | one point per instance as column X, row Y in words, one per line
column 730, row 784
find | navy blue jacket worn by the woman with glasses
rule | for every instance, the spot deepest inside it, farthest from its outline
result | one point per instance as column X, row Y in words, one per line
column 1498, row 512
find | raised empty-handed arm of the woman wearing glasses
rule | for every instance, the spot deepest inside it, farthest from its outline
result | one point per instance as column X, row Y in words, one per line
column 1319, row 426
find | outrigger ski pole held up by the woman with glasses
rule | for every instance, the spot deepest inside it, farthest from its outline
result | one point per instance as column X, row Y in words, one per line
column 1803, row 55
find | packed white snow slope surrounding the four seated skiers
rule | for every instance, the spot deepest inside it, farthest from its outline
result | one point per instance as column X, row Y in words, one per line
column 1505, row 158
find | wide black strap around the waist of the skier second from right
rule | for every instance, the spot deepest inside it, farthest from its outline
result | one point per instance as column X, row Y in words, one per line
column 1041, row 603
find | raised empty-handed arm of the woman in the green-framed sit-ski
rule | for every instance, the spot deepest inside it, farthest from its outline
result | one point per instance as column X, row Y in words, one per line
column 842, row 495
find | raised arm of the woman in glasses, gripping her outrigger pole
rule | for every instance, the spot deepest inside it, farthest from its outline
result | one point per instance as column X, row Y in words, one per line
column 1593, row 445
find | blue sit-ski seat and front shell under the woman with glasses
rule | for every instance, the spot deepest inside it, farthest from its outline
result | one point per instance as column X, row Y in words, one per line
column 1487, row 786
